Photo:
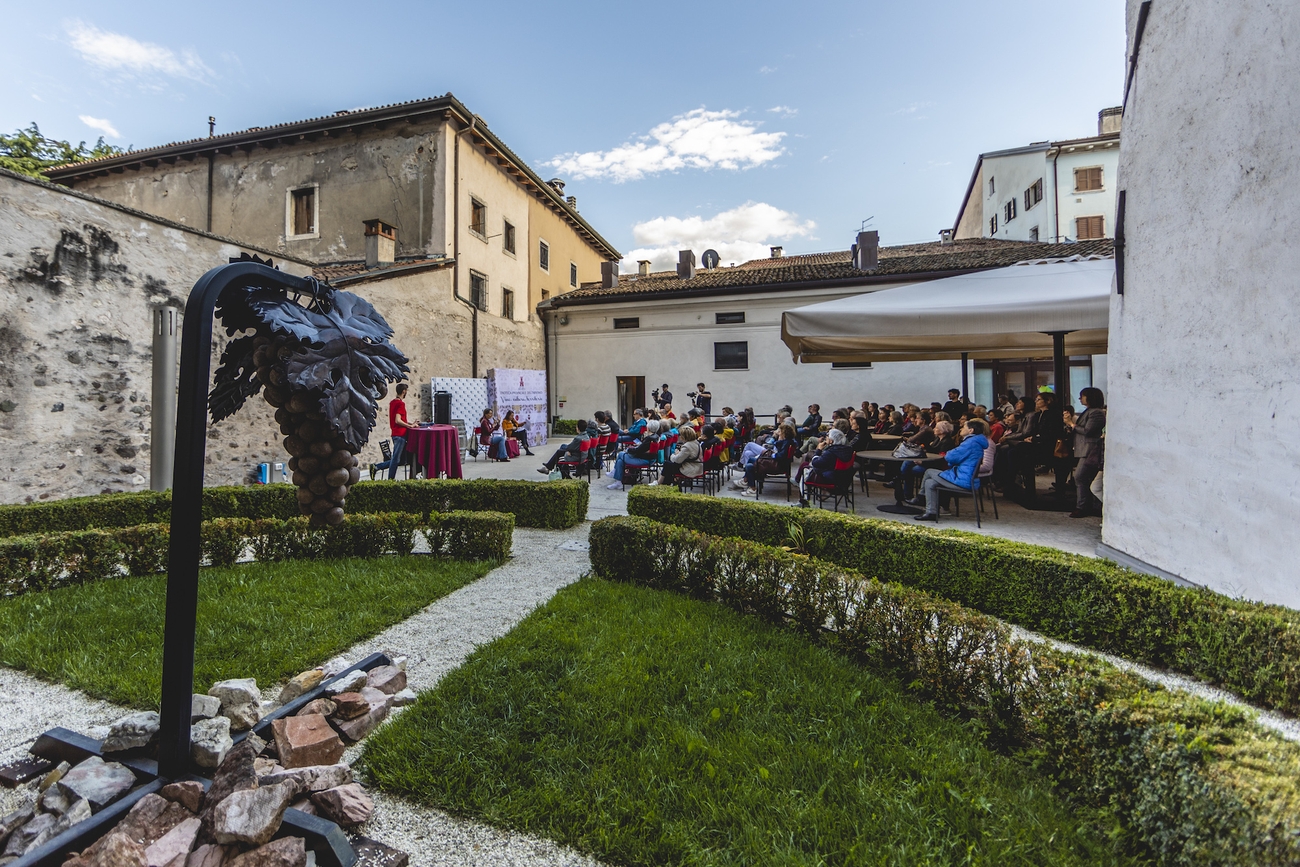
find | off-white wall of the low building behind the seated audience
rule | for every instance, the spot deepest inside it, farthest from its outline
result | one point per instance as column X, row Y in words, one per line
column 675, row 345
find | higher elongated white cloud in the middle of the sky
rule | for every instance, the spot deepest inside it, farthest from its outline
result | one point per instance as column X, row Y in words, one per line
column 699, row 140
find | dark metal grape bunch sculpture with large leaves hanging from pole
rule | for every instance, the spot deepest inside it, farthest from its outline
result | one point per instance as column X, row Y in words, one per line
column 324, row 361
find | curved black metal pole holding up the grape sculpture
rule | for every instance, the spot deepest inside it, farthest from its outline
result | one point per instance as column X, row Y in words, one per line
column 192, row 432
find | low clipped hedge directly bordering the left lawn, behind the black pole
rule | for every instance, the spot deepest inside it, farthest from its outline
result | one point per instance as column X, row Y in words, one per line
column 50, row 561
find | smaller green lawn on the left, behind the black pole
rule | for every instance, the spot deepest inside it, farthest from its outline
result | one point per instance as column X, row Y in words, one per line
column 265, row 621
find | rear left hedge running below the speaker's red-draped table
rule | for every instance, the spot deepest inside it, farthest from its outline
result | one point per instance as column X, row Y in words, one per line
column 544, row 505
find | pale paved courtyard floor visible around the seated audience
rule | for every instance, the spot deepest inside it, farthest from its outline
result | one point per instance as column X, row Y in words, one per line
column 1055, row 530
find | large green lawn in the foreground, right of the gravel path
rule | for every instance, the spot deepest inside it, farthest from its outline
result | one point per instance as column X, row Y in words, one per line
column 647, row 729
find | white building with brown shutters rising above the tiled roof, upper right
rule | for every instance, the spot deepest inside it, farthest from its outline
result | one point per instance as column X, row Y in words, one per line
column 1047, row 192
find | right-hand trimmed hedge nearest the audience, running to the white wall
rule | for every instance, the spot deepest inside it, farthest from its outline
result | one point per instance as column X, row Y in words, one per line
column 1249, row 648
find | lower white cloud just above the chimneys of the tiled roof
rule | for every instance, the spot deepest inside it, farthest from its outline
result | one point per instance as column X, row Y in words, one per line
column 739, row 236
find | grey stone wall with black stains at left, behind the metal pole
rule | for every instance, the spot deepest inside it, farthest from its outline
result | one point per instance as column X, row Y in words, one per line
column 79, row 281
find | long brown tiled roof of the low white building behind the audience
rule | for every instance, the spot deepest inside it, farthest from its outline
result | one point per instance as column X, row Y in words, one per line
column 920, row 262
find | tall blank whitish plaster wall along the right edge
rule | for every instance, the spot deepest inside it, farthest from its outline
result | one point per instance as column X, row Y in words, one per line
column 1203, row 462
